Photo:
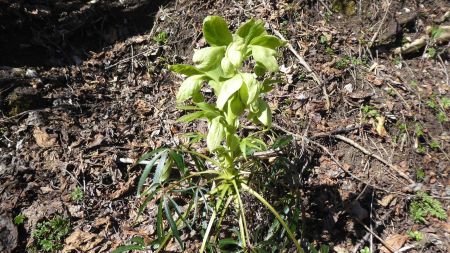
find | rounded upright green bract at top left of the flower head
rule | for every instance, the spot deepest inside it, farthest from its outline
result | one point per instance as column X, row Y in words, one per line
column 216, row 32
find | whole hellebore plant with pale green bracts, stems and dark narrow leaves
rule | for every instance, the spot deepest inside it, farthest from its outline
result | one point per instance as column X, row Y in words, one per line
column 223, row 176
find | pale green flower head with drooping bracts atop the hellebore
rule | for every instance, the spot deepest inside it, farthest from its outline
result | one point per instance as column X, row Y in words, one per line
column 221, row 67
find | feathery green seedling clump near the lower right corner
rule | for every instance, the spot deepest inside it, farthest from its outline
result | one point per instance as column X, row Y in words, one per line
column 423, row 206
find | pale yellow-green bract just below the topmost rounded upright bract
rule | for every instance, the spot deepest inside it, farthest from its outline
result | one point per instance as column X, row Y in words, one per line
column 208, row 58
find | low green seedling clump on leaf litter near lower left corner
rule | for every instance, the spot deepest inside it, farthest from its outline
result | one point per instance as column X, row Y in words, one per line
column 48, row 236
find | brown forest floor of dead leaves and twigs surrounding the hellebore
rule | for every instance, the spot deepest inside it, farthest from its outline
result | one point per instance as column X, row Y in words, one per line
column 85, row 86
